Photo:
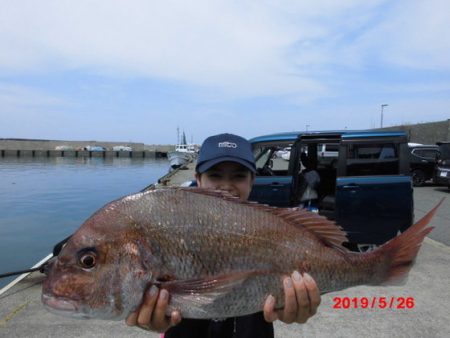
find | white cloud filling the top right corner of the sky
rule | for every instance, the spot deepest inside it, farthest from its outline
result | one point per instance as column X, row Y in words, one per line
column 411, row 34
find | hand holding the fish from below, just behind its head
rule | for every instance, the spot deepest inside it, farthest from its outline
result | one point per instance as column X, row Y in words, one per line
column 151, row 314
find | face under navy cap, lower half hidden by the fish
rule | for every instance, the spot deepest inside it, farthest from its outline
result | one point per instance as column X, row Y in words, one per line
column 228, row 176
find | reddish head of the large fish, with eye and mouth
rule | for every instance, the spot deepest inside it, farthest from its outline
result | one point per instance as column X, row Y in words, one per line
column 102, row 271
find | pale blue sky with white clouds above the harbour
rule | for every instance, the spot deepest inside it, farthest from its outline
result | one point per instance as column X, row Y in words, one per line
column 136, row 70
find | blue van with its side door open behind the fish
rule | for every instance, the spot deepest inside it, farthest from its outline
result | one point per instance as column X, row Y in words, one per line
column 367, row 189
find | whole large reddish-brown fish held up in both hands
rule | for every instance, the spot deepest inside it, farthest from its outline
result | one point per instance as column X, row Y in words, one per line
column 216, row 255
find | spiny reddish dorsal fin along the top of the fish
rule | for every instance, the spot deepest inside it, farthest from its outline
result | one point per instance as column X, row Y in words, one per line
column 327, row 231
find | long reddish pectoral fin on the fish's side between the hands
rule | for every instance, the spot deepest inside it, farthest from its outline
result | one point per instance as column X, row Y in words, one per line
column 214, row 285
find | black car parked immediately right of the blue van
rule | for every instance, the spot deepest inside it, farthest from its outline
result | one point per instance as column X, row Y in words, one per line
column 422, row 162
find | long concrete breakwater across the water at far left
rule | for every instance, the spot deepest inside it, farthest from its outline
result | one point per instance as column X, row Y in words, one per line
column 57, row 148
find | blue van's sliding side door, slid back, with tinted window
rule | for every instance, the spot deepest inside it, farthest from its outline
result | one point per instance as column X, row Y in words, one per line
column 374, row 196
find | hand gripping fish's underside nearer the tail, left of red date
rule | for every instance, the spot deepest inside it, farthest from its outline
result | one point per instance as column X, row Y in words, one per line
column 302, row 297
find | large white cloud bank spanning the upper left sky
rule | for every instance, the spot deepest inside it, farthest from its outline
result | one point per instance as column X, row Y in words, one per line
column 248, row 47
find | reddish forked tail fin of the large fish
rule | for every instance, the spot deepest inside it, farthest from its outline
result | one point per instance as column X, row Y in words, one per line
column 402, row 250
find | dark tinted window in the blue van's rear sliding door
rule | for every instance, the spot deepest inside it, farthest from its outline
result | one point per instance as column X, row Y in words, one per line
column 372, row 159
